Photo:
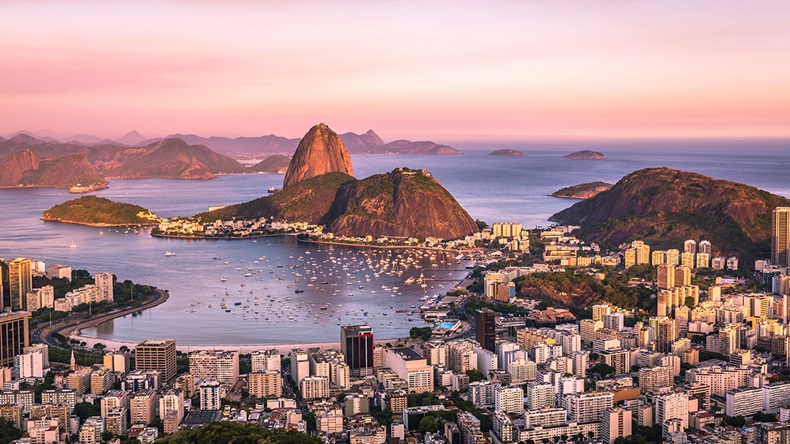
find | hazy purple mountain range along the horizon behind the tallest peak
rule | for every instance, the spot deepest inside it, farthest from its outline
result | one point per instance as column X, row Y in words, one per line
column 366, row 143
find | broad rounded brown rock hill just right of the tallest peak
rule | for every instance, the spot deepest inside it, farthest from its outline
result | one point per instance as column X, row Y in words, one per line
column 403, row 203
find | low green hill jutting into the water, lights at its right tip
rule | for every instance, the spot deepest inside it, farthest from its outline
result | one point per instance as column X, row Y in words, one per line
column 100, row 212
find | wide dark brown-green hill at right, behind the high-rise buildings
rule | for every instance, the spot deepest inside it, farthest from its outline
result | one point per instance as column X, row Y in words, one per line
column 664, row 207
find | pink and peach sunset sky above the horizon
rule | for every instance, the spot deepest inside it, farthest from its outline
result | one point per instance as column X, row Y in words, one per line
column 439, row 70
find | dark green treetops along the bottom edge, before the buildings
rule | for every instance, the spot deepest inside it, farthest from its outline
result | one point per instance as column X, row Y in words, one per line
column 227, row 432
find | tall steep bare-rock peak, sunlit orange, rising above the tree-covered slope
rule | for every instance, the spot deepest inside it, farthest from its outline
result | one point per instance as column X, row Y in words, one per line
column 319, row 152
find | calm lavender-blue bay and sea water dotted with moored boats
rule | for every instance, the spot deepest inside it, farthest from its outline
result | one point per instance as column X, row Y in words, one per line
column 490, row 188
